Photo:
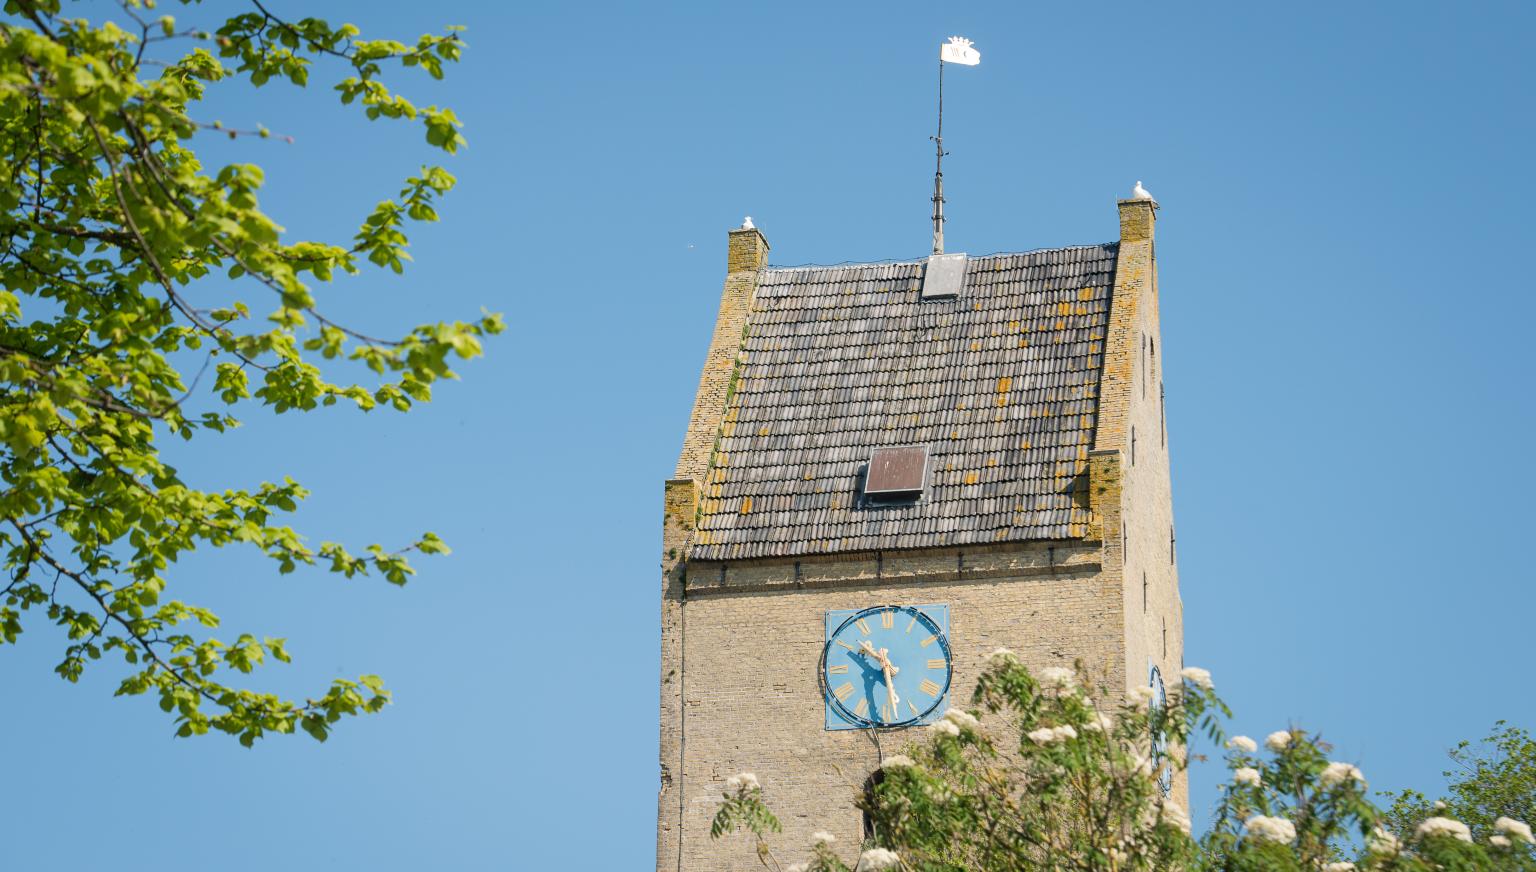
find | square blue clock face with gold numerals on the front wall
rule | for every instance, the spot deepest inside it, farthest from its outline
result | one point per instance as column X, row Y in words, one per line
column 887, row 667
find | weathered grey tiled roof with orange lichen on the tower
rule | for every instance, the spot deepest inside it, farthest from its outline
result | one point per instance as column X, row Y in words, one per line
column 1001, row 385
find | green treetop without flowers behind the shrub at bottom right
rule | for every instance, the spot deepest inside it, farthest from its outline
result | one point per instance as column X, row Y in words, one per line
column 1492, row 779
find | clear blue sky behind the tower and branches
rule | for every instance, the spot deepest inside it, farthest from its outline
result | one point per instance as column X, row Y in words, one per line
column 1346, row 311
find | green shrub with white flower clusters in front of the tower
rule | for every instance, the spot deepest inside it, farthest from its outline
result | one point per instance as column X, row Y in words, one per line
column 1058, row 775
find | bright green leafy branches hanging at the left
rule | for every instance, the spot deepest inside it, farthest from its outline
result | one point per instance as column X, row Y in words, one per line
column 127, row 266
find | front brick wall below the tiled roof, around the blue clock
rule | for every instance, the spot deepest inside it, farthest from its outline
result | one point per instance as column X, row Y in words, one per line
column 752, row 649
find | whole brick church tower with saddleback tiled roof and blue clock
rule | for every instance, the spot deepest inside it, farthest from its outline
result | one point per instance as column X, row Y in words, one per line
column 947, row 457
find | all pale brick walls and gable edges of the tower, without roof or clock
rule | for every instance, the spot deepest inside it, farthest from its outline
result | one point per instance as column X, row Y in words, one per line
column 741, row 642
